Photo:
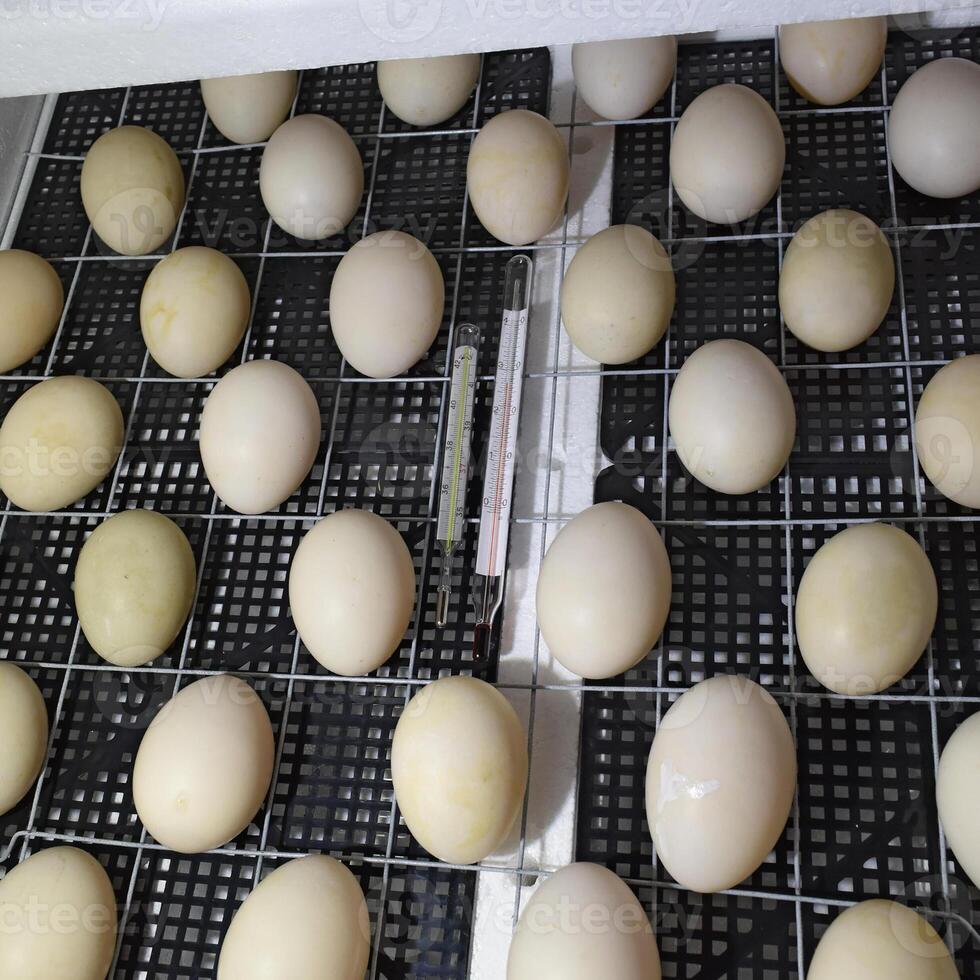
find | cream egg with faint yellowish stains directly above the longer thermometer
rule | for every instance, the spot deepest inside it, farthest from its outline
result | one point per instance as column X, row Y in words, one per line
column 517, row 176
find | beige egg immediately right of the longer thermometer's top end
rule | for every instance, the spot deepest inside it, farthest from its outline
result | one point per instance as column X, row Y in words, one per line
column 618, row 295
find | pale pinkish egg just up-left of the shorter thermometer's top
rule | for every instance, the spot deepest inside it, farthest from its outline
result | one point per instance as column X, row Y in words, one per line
column 386, row 303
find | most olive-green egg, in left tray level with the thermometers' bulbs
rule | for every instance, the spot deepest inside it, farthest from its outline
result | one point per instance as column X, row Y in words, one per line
column 134, row 586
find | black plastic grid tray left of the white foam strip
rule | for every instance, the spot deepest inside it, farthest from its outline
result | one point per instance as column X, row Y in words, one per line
column 332, row 788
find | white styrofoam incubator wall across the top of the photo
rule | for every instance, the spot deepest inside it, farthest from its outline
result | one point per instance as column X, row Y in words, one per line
column 64, row 45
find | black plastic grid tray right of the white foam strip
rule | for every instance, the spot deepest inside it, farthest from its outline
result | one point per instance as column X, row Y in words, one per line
column 865, row 824
